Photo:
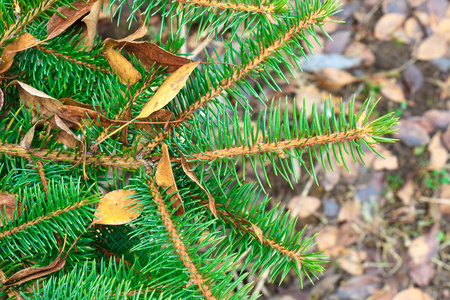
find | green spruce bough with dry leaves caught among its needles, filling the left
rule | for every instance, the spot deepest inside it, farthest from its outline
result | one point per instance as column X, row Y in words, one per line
column 81, row 117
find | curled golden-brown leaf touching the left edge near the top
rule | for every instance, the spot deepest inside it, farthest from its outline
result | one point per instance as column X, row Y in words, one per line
column 23, row 42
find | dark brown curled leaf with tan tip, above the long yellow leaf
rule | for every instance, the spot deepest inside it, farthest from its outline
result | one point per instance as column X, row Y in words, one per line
column 148, row 53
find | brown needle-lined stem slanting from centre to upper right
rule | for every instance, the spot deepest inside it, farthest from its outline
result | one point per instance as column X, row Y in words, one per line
column 238, row 74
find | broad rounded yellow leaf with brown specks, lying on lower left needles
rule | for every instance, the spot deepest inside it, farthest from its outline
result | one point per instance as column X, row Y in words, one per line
column 116, row 208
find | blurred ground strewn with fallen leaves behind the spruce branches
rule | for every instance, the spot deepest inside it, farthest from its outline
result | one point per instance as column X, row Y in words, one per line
column 386, row 225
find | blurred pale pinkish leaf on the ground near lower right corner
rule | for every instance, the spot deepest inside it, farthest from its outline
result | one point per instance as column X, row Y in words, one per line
column 420, row 252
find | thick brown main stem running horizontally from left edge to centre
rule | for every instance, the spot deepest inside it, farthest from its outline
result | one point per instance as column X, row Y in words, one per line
column 102, row 160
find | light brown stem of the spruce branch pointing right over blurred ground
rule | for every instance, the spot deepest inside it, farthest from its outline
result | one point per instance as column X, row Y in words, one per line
column 260, row 148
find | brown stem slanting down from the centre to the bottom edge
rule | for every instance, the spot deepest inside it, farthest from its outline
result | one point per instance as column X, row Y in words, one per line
column 196, row 277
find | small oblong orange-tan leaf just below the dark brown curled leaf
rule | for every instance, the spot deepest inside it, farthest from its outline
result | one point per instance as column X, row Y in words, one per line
column 122, row 67
